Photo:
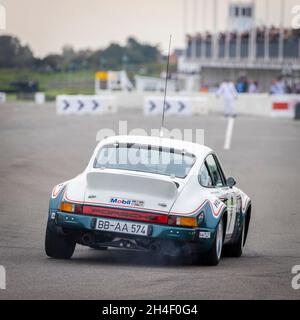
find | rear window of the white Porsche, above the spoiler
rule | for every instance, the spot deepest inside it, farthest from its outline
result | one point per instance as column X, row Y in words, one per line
column 145, row 158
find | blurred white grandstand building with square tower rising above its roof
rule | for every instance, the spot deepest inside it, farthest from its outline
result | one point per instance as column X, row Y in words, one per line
column 261, row 53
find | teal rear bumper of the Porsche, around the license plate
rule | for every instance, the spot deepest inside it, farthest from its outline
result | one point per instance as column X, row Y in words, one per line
column 85, row 223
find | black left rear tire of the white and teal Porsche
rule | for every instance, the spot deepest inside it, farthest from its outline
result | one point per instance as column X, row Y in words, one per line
column 57, row 244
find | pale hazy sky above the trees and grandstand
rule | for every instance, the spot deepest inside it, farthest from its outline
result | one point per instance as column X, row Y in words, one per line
column 47, row 25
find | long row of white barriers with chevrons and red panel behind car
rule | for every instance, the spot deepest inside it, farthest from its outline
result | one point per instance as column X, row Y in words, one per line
column 187, row 104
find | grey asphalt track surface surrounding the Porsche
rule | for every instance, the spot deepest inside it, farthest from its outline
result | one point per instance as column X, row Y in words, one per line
column 39, row 149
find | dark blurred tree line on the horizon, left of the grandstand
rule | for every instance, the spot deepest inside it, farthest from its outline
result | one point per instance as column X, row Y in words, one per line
column 133, row 54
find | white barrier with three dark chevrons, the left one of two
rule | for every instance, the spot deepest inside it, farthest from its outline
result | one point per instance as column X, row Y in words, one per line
column 85, row 104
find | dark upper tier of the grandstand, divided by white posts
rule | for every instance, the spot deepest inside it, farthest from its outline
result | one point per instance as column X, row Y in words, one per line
column 236, row 46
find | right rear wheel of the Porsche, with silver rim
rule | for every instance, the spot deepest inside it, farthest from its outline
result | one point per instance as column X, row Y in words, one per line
column 213, row 256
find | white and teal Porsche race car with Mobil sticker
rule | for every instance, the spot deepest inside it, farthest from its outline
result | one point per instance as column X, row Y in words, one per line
column 152, row 194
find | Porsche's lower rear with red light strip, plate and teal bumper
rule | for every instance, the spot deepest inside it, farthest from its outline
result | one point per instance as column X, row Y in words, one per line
column 131, row 229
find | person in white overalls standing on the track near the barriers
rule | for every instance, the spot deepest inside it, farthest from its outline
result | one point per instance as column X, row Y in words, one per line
column 228, row 92
